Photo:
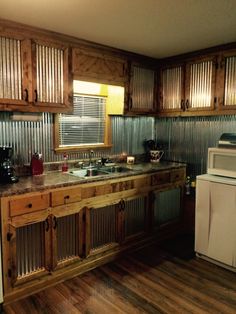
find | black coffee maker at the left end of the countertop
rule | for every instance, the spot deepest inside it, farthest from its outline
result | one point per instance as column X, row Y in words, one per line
column 7, row 172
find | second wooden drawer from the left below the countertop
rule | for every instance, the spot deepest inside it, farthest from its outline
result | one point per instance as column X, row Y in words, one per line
column 65, row 196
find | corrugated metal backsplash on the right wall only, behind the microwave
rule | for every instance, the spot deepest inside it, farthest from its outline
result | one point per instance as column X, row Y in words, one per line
column 187, row 139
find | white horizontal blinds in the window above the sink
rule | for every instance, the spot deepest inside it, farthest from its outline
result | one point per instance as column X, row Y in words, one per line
column 87, row 125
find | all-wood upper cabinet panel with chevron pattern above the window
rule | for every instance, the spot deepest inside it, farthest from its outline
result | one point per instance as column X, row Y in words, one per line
column 98, row 66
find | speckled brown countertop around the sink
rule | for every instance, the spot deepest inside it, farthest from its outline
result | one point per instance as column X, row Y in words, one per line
column 56, row 179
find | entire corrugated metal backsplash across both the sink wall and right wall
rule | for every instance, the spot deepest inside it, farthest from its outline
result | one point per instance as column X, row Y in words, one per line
column 185, row 139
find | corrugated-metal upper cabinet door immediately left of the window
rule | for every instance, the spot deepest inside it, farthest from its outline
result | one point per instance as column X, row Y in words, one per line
column 51, row 85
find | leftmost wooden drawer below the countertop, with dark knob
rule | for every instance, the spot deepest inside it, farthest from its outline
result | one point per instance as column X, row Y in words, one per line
column 27, row 204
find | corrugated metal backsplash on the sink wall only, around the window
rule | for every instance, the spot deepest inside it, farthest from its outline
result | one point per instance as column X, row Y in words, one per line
column 27, row 137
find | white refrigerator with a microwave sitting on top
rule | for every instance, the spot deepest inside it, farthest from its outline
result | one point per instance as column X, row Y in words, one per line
column 215, row 223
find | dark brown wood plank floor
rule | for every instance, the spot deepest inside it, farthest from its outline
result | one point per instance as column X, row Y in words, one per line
column 153, row 280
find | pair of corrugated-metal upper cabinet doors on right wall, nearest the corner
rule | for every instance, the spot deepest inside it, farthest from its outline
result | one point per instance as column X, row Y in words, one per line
column 188, row 87
